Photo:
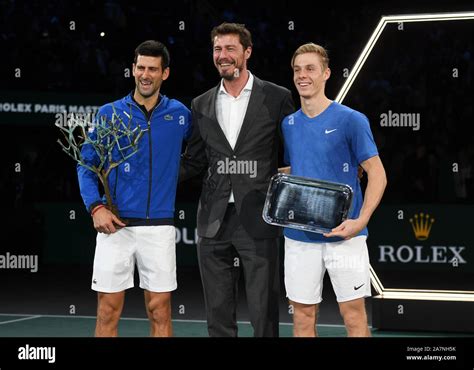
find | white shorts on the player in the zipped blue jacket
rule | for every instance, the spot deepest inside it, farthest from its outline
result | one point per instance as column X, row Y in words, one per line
column 153, row 248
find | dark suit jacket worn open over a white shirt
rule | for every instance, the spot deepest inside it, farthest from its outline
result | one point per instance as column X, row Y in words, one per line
column 259, row 141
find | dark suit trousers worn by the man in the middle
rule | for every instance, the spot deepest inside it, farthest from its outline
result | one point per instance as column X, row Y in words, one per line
column 219, row 261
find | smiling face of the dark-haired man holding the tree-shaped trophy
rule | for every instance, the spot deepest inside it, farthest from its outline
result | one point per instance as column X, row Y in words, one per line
column 149, row 75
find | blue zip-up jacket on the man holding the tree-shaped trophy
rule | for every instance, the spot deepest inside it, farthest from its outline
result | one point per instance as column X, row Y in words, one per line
column 144, row 186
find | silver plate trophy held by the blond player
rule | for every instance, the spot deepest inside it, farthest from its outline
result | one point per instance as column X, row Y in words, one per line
column 306, row 204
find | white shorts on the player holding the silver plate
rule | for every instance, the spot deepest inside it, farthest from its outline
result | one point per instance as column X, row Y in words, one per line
column 347, row 263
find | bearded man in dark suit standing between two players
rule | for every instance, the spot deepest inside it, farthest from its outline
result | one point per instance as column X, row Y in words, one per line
column 235, row 141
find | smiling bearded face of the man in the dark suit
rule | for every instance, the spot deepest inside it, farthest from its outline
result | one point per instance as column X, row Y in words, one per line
column 229, row 56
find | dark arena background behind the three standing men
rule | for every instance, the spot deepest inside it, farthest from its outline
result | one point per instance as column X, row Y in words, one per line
column 409, row 70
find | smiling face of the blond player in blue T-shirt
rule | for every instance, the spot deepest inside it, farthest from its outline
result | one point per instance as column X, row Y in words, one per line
column 309, row 75
